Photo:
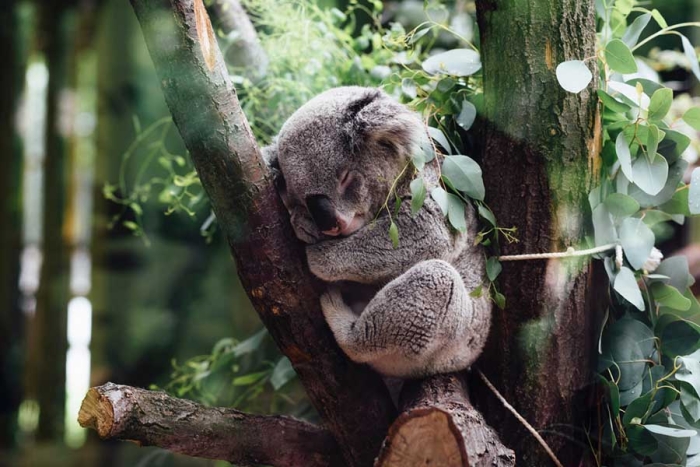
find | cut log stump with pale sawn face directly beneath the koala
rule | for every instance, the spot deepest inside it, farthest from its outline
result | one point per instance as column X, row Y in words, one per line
column 440, row 427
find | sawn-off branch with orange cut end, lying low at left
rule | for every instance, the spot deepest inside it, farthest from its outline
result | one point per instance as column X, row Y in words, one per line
column 152, row 418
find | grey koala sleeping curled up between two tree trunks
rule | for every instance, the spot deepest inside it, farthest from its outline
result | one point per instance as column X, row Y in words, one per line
column 405, row 311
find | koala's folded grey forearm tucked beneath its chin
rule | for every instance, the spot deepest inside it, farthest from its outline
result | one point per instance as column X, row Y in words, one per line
column 368, row 256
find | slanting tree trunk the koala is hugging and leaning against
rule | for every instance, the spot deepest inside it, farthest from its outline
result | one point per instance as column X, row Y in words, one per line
column 352, row 399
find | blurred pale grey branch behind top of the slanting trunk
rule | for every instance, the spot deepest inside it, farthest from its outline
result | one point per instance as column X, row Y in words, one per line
column 245, row 52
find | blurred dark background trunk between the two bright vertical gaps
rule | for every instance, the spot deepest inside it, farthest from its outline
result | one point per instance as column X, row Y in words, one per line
column 49, row 336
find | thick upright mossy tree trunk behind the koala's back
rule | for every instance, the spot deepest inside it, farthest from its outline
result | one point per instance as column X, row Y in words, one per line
column 540, row 159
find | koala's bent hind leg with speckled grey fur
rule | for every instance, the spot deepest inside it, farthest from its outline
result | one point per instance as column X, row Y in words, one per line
column 423, row 322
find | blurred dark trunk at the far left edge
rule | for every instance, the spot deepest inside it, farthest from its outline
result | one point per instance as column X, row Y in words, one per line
column 11, row 319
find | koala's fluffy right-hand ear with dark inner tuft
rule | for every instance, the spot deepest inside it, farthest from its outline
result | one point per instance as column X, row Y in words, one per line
column 374, row 118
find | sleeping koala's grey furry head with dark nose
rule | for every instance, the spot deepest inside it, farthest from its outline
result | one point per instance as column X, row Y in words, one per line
column 338, row 156
